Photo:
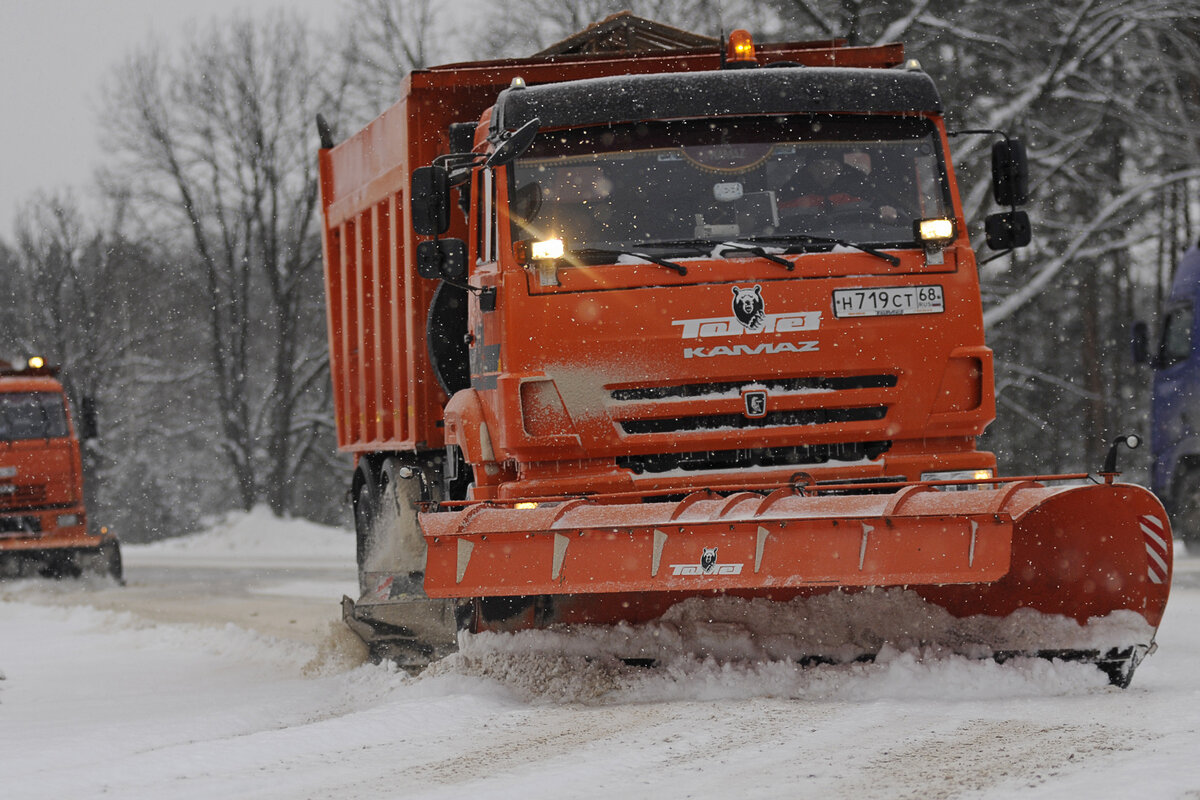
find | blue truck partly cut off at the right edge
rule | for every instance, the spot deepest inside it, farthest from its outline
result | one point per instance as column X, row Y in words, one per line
column 1175, row 401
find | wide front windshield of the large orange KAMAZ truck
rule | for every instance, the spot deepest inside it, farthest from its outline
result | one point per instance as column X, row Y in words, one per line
column 629, row 187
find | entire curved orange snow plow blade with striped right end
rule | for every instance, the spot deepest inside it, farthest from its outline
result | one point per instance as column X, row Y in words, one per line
column 1077, row 555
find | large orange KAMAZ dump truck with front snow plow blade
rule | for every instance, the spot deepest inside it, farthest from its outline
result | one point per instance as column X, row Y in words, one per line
column 615, row 332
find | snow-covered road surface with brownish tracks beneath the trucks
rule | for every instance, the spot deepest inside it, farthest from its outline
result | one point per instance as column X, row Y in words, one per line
column 221, row 672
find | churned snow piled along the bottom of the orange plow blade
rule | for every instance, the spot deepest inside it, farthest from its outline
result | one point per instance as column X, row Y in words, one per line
column 872, row 645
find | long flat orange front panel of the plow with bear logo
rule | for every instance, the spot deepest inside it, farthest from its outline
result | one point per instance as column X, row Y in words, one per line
column 713, row 543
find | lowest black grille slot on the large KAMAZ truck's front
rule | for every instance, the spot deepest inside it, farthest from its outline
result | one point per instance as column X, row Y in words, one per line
column 725, row 460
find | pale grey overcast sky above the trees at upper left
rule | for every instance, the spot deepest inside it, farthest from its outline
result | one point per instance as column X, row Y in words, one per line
column 55, row 57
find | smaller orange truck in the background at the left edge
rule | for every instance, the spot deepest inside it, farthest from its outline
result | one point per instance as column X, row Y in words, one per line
column 44, row 525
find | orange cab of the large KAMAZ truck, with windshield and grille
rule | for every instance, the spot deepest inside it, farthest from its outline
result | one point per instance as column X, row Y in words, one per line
column 771, row 275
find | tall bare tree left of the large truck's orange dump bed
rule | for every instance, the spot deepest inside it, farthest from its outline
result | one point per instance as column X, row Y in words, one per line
column 215, row 147
